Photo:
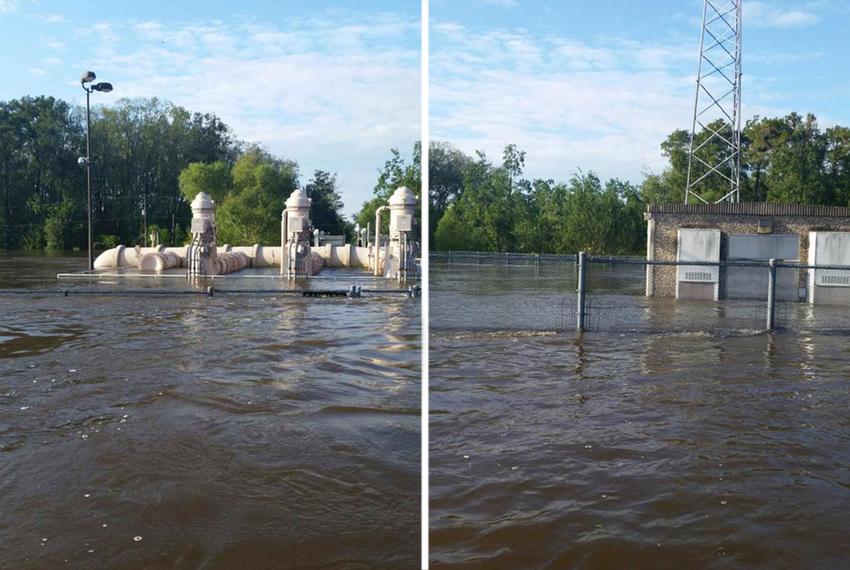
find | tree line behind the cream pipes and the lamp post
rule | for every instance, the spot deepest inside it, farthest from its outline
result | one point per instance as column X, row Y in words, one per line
column 149, row 159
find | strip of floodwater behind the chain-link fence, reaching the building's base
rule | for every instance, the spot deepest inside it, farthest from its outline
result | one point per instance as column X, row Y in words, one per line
column 525, row 298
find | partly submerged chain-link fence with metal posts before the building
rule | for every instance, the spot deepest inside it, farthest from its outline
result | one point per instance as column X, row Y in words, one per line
column 526, row 292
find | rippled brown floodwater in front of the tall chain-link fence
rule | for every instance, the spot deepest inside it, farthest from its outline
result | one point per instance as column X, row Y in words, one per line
column 640, row 450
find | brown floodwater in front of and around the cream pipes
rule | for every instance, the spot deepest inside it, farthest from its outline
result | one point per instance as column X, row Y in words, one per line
column 186, row 431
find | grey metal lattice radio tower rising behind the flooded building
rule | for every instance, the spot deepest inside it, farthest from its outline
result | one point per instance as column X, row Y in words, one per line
column 718, row 97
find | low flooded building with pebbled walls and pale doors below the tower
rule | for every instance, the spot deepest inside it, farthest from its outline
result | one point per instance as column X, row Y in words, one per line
column 805, row 235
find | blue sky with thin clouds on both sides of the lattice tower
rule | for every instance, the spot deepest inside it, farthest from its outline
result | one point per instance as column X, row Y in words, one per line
column 597, row 85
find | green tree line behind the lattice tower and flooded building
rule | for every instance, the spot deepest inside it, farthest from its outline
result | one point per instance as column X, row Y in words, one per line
column 478, row 204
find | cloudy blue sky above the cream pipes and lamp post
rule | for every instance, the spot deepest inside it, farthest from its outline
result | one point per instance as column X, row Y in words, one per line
column 333, row 85
